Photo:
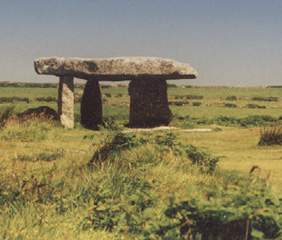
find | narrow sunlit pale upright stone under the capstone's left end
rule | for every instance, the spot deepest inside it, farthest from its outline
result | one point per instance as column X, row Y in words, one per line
column 66, row 101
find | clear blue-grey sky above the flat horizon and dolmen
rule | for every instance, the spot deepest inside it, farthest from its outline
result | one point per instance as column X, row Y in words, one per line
column 229, row 42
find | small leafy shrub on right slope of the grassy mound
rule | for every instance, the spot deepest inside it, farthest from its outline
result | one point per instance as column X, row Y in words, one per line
column 201, row 158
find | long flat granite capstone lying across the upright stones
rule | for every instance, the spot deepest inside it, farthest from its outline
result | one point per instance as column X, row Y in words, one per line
column 115, row 69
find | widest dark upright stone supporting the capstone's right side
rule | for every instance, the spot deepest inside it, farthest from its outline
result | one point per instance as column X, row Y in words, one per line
column 148, row 103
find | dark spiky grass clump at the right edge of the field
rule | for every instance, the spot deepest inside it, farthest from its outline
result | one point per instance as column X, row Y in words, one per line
column 271, row 135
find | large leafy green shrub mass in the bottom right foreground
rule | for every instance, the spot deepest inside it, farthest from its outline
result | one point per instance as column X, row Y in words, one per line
column 247, row 211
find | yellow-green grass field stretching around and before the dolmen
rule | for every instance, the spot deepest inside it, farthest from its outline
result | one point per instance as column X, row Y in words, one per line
column 47, row 191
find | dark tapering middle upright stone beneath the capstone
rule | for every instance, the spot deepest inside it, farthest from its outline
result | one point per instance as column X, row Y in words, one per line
column 91, row 110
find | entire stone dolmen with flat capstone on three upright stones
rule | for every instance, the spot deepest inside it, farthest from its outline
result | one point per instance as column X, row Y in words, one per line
column 147, row 87
